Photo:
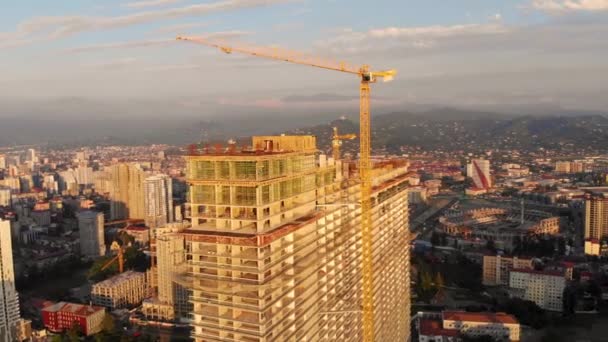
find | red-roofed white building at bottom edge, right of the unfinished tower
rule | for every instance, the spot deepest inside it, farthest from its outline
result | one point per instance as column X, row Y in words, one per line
column 452, row 326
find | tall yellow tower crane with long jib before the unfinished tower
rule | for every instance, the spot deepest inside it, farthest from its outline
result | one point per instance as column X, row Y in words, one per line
column 366, row 77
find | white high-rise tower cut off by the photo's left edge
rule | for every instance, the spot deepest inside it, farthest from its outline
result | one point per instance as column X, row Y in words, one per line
column 9, row 299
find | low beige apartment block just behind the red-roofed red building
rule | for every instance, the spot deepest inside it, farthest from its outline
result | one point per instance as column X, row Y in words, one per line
column 125, row 290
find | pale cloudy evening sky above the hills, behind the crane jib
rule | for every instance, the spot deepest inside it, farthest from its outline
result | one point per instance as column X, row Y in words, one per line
column 121, row 56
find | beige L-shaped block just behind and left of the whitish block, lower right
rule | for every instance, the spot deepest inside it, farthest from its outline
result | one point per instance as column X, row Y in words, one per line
column 496, row 268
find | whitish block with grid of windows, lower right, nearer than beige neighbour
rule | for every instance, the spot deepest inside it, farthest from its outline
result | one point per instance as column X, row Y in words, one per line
column 545, row 288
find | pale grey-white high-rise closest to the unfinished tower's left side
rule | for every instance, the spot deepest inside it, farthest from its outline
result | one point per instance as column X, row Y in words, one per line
column 158, row 200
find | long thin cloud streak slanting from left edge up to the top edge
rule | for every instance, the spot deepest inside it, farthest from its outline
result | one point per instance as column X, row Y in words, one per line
column 49, row 28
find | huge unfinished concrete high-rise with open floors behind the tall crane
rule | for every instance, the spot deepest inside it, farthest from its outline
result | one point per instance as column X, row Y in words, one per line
column 274, row 252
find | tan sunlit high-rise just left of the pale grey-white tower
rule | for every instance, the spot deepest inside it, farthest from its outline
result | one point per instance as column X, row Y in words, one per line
column 126, row 193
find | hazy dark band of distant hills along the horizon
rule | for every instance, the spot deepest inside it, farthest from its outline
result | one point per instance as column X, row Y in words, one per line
column 438, row 128
